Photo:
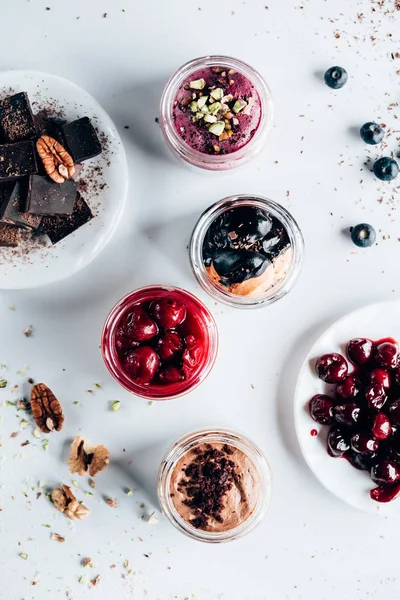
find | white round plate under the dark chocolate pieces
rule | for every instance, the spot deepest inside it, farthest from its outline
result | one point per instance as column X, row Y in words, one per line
column 106, row 193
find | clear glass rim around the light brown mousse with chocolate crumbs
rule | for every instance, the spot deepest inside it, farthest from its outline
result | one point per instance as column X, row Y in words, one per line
column 262, row 474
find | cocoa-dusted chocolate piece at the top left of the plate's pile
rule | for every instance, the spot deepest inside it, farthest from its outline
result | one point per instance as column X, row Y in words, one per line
column 16, row 119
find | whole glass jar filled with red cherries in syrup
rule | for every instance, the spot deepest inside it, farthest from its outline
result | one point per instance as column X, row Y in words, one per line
column 159, row 342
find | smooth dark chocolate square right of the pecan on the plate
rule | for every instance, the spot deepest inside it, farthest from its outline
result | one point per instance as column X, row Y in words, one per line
column 81, row 139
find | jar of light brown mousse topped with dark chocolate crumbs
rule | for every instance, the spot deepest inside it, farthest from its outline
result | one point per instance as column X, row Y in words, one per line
column 214, row 485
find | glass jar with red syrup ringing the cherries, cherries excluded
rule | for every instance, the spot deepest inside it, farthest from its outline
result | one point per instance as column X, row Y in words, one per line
column 202, row 321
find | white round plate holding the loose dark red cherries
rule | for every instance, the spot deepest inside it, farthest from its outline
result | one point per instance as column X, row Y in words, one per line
column 376, row 321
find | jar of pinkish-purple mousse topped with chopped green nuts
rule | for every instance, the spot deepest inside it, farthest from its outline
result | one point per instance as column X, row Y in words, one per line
column 216, row 112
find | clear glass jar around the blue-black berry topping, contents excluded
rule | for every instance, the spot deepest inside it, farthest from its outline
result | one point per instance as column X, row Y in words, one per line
column 268, row 295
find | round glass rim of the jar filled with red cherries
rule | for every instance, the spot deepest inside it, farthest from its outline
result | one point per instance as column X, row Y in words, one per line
column 151, row 392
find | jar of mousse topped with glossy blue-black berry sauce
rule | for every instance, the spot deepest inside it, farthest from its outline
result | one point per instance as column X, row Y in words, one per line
column 246, row 251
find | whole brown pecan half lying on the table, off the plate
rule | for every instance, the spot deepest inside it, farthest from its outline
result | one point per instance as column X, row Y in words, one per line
column 46, row 409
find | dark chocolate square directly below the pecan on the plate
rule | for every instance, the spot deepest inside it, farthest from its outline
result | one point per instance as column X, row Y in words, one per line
column 49, row 198
